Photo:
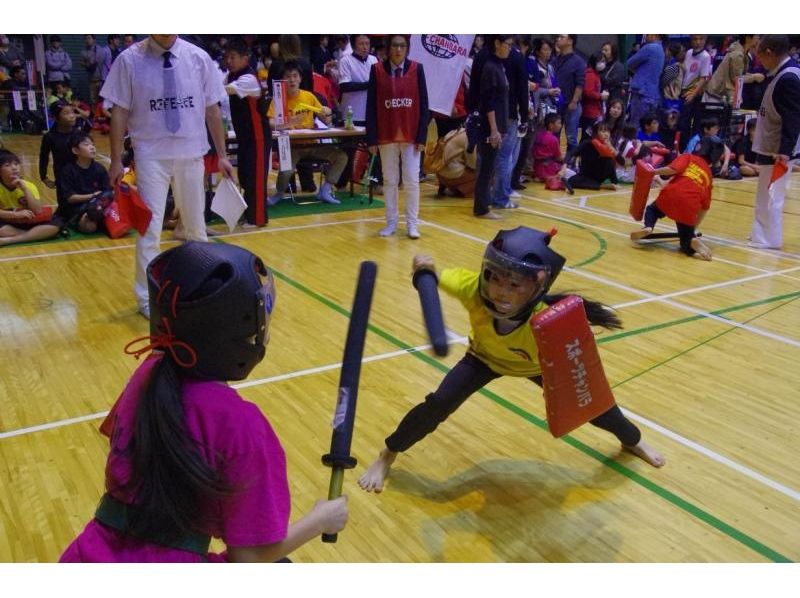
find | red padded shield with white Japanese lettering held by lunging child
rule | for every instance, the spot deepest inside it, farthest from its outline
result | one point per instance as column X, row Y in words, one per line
column 575, row 386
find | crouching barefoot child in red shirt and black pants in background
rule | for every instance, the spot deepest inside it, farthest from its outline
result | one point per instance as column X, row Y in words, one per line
column 686, row 198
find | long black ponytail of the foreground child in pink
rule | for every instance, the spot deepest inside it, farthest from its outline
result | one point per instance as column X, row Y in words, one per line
column 171, row 481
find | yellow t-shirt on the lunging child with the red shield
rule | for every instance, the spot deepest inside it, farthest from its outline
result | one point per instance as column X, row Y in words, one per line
column 512, row 354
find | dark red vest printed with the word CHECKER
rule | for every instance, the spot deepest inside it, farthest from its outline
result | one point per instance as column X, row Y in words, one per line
column 398, row 105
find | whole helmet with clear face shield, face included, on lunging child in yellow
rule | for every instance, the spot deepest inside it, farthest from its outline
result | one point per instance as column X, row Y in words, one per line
column 518, row 269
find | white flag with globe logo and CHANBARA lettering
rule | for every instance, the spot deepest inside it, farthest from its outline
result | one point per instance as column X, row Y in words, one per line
column 444, row 57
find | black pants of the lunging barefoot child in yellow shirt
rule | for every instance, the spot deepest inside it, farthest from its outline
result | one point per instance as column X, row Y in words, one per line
column 468, row 376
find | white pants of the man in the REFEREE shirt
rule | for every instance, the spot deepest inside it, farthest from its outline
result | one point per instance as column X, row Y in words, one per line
column 153, row 178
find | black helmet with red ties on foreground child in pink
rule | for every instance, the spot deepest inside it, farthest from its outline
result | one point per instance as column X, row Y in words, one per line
column 211, row 303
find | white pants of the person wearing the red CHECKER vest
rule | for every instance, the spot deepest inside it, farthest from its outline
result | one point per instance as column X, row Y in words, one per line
column 392, row 156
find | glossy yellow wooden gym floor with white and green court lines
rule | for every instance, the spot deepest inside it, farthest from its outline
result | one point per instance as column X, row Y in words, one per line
column 706, row 366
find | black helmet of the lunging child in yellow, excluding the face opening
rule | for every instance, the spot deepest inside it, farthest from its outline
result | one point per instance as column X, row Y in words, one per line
column 523, row 252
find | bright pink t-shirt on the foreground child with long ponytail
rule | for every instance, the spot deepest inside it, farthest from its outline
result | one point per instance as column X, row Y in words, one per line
column 236, row 439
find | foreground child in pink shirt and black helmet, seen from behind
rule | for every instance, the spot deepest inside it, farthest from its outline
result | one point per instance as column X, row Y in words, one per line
column 190, row 459
